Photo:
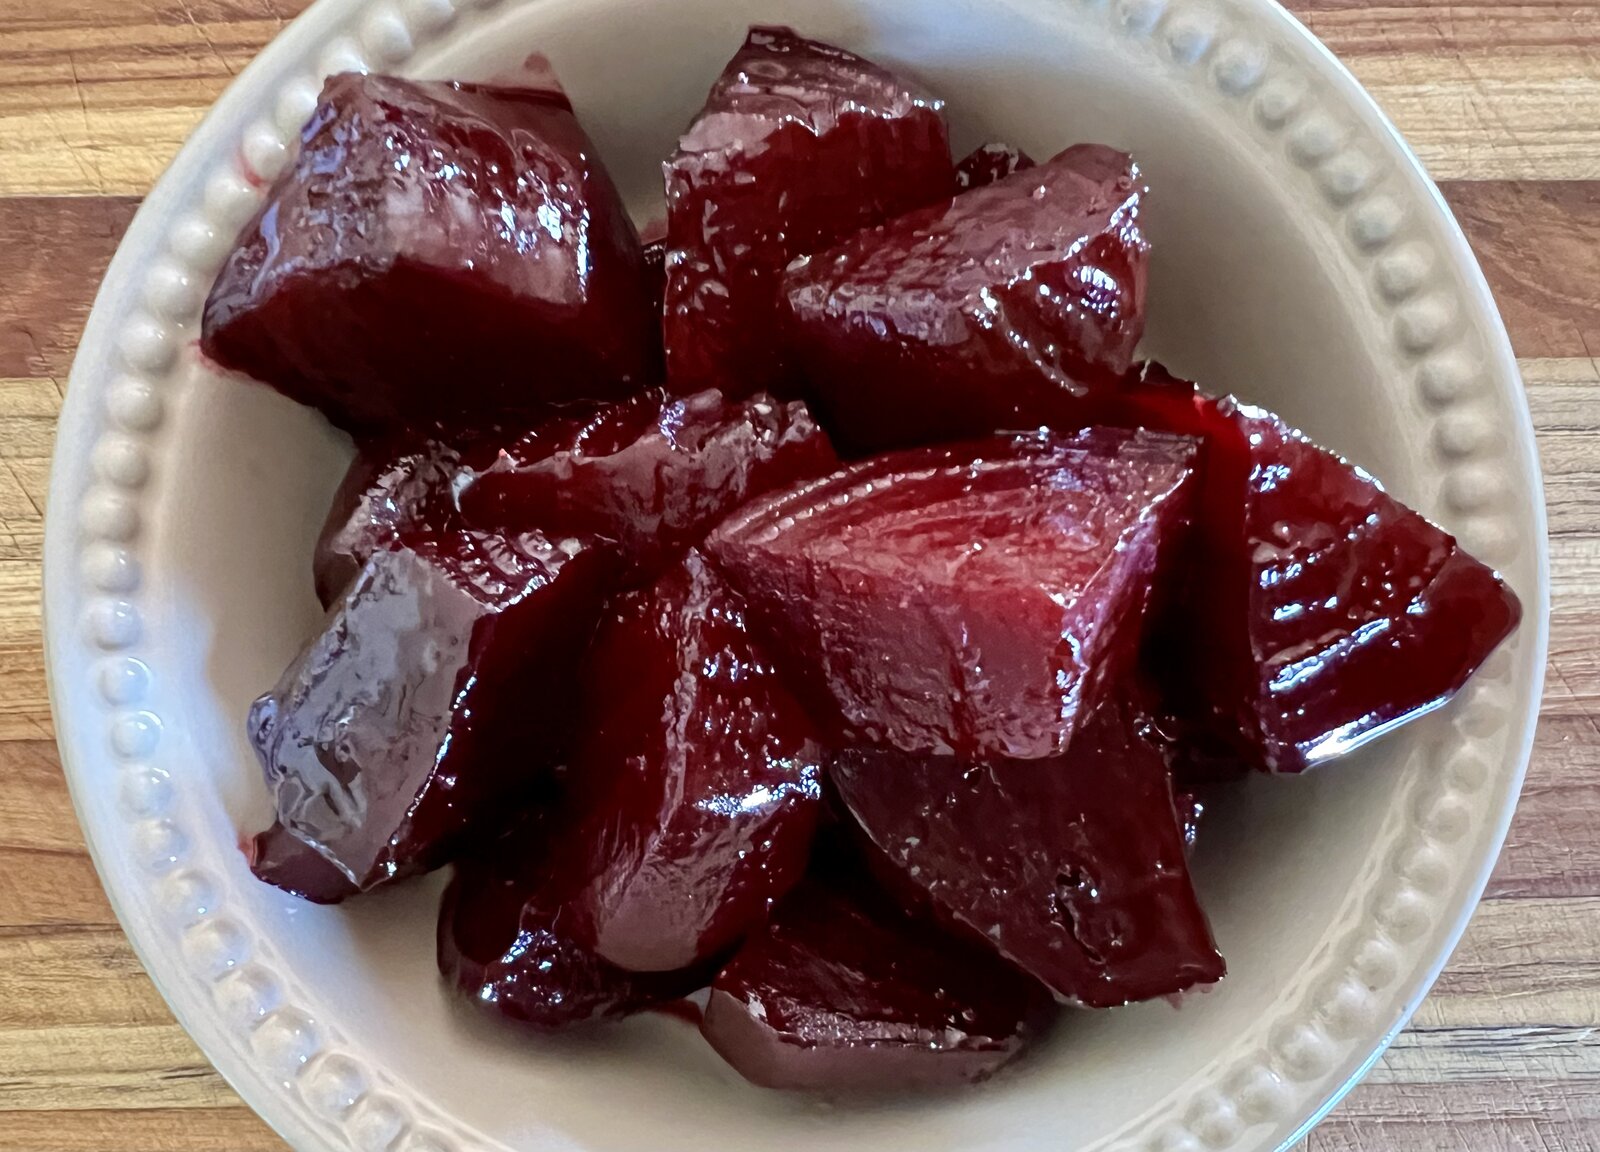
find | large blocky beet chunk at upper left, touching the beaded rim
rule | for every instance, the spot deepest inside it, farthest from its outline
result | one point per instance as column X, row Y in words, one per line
column 438, row 254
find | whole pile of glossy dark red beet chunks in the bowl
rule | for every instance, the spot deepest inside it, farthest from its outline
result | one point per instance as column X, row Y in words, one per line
column 820, row 604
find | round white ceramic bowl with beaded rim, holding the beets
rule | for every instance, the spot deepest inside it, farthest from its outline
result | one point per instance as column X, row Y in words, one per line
column 1302, row 260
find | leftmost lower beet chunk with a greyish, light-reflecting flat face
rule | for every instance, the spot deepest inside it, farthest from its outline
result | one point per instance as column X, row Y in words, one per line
column 436, row 697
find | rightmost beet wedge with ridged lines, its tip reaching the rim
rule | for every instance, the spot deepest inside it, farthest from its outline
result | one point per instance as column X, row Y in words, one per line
column 1321, row 610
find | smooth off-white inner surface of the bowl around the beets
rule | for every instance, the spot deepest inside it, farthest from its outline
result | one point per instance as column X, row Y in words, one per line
column 1252, row 292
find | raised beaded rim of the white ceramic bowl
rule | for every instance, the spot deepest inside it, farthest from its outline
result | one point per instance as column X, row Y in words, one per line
column 1273, row 1084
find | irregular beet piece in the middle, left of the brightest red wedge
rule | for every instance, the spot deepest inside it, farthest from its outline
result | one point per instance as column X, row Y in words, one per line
column 654, row 473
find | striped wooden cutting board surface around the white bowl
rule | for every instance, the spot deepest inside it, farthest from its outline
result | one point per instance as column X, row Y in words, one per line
column 1503, row 105
